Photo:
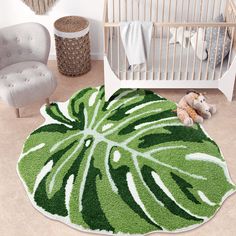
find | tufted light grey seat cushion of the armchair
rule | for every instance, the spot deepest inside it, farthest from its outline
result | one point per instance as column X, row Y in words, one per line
column 26, row 82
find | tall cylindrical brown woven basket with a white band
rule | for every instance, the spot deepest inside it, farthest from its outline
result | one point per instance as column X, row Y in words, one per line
column 72, row 45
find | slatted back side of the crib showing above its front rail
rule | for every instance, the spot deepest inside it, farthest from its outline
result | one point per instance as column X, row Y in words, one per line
column 165, row 10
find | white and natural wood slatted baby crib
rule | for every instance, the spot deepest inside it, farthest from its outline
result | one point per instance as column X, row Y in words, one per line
column 168, row 66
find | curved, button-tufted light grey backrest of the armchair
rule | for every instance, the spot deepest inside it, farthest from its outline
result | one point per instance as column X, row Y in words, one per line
column 24, row 42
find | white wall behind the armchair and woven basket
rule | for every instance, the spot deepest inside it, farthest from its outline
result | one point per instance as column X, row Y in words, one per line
column 15, row 12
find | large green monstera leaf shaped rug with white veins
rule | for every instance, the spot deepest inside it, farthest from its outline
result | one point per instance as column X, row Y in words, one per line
column 126, row 166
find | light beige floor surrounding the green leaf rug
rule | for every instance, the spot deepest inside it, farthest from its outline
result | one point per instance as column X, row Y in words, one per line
column 19, row 218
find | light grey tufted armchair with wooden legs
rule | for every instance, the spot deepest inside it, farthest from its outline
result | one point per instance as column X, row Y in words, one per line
column 24, row 76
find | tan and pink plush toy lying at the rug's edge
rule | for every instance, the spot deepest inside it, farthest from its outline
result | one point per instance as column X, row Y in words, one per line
column 194, row 108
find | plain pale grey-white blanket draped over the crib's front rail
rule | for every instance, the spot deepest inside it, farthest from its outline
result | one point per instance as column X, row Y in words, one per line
column 136, row 37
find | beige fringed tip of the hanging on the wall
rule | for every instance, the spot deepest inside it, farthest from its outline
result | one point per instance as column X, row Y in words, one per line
column 40, row 7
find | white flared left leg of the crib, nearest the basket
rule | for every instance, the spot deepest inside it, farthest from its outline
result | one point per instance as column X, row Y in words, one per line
column 112, row 83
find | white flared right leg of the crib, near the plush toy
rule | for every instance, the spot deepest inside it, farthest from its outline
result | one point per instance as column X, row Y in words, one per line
column 226, row 83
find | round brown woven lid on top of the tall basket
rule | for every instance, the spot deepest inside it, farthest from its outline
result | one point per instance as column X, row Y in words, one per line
column 71, row 24
